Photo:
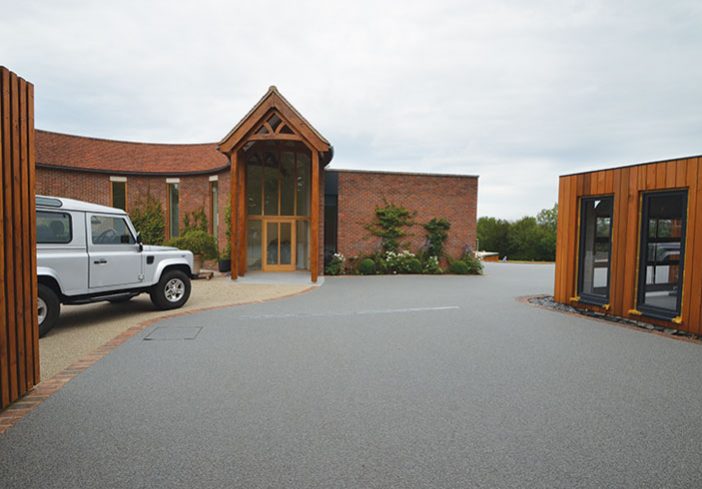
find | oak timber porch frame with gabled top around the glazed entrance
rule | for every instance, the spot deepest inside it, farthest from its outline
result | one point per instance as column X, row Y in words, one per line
column 254, row 127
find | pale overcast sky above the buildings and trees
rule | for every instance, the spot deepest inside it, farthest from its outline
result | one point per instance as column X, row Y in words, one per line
column 517, row 92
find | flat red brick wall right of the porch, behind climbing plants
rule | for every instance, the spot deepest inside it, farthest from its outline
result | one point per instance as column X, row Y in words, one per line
column 452, row 197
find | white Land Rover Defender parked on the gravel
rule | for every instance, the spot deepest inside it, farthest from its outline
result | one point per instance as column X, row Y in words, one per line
column 89, row 253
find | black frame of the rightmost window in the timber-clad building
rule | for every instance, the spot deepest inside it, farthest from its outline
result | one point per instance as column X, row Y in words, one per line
column 648, row 310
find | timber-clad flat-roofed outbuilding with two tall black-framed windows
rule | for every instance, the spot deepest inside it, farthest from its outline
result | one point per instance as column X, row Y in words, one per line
column 630, row 242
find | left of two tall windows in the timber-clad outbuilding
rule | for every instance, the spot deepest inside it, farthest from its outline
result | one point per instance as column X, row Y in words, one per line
column 595, row 248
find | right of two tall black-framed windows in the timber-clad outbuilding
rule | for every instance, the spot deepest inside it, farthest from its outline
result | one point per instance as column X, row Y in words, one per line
column 662, row 253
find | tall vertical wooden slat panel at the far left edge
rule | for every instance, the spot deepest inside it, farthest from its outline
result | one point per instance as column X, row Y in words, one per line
column 19, row 332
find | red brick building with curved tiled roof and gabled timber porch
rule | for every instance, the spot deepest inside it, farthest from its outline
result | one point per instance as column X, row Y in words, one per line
column 272, row 170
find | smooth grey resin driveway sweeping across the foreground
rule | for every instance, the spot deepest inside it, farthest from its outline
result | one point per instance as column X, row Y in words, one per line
column 381, row 382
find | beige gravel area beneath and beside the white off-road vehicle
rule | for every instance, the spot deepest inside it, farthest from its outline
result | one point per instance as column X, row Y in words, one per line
column 82, row 329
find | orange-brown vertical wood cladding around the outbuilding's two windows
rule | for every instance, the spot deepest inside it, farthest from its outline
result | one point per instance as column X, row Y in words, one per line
column 626, row 186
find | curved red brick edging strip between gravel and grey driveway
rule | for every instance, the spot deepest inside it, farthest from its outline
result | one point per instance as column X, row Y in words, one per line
column 46, row 388
